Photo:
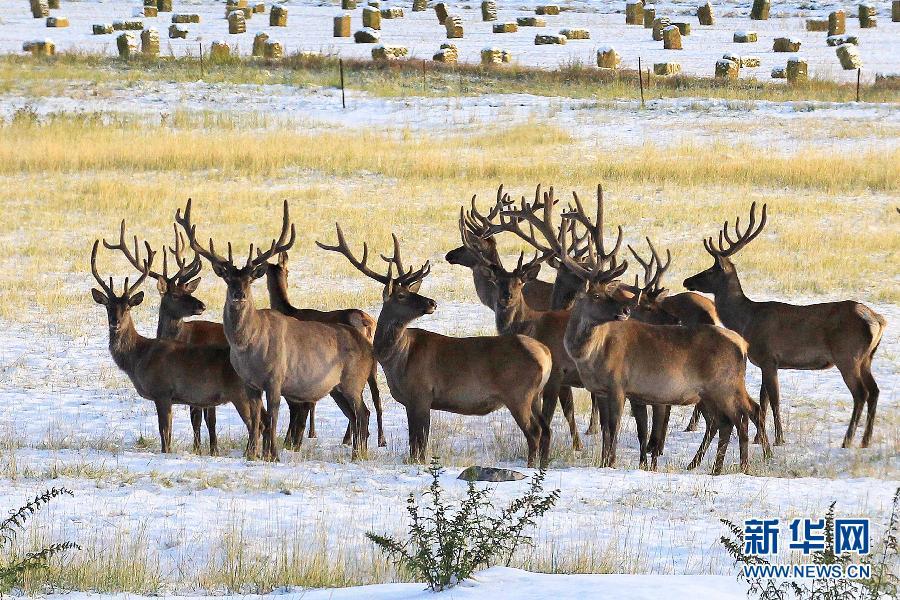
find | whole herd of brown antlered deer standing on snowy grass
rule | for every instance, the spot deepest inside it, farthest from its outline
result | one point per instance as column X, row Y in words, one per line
column 588, row 329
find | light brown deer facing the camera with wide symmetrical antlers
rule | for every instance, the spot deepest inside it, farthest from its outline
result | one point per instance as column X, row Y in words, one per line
column 283, row 356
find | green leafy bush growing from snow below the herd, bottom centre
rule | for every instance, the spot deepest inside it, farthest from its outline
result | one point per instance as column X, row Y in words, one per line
column 447, row 544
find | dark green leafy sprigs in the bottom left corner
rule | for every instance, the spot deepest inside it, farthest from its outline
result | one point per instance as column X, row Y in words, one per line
column 11, row 573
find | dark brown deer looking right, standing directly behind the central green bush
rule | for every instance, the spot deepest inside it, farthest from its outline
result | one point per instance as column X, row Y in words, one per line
column 428, row 371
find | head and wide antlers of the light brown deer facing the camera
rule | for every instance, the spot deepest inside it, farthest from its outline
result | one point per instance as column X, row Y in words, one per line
column 238, row 279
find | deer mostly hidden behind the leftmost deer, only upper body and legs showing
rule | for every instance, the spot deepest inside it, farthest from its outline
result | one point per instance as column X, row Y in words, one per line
column 177, row 302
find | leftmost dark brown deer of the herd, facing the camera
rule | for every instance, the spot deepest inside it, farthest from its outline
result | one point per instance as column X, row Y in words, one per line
column 168, row 371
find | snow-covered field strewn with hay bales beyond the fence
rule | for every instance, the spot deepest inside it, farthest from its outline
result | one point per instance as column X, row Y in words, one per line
column 310, row 28
